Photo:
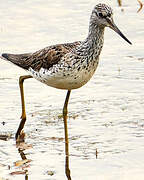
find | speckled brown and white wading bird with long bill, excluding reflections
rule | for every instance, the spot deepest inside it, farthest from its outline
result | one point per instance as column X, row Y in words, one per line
column 66, row 66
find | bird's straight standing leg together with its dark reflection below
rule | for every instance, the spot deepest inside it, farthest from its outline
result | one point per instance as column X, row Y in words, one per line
column 67, row 170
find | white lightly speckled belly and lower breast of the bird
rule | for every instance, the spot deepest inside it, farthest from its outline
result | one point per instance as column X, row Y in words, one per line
column 65, row 78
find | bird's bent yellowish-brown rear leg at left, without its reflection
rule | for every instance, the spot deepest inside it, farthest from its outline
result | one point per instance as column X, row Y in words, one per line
column 23, row 116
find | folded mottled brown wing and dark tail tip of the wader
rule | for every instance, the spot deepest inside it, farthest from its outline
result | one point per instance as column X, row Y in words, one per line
column 44, row 58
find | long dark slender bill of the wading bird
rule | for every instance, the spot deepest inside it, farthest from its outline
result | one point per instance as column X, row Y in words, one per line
column 116, row 29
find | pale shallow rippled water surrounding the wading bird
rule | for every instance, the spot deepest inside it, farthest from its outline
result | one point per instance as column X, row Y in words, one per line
column 106, row 115
